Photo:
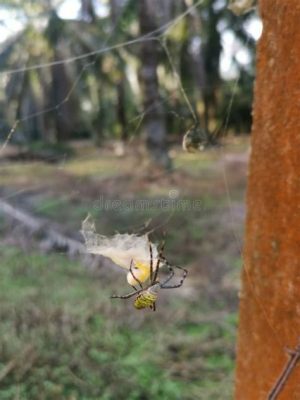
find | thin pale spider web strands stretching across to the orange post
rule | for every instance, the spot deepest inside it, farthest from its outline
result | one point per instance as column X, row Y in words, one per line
column 159, row 36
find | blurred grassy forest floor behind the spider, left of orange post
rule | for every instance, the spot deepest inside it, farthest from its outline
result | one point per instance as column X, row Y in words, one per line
column 62, row 337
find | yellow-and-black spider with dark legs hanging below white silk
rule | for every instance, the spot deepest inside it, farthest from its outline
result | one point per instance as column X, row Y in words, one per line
column 147, row 296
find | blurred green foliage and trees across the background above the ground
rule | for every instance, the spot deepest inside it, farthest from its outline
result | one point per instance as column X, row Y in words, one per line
column 99, row 96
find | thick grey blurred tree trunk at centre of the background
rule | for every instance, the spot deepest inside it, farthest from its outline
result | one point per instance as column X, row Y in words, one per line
column 154, row 120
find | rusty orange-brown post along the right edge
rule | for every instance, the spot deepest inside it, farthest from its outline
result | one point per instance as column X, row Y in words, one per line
column 270, row 295
